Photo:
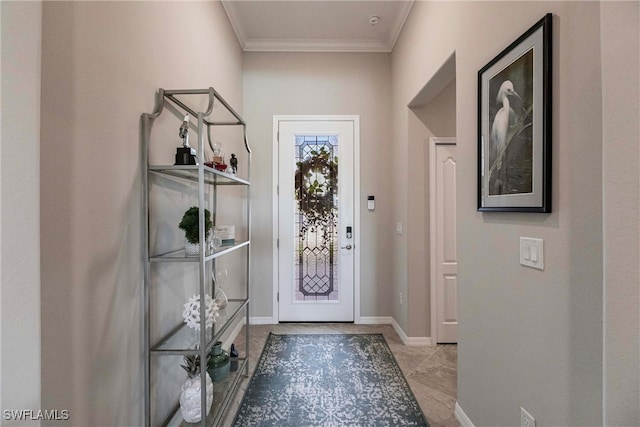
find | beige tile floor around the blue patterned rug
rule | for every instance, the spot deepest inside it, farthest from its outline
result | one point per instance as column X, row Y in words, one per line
column 430, row 370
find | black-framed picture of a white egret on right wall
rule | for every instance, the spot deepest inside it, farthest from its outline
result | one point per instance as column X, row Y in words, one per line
column 514, row 143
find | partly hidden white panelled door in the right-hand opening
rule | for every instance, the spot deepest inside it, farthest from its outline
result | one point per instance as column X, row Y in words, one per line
column 443, row 232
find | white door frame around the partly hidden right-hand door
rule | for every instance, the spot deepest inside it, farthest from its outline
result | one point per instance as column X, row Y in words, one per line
column 433, row 142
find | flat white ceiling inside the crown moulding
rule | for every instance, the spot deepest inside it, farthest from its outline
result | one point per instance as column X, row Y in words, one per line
column 317, row 25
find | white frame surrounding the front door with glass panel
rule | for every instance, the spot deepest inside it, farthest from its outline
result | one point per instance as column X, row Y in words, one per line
column 356, row 204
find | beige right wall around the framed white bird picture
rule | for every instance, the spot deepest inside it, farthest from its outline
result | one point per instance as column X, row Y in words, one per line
column 527, row 338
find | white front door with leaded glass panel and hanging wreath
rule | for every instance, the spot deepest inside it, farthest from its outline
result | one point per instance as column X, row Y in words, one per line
column 316, row 220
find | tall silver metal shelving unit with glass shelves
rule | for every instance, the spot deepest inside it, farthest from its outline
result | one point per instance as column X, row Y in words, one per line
column 180, row 340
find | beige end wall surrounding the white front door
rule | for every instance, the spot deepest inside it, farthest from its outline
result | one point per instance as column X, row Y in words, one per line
column 323, row 83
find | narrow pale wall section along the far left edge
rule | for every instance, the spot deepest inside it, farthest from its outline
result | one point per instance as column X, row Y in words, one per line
column 20, row 346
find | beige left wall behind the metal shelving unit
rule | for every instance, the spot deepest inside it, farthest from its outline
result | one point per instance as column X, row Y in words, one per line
column 102, row 64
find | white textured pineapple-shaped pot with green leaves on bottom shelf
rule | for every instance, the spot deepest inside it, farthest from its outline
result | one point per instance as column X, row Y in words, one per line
column 190, row 396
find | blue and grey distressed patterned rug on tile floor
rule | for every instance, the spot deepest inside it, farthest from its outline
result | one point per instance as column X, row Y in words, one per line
column 328, row 380
